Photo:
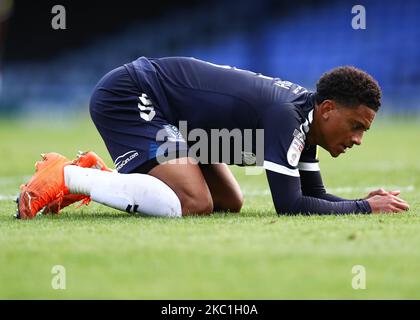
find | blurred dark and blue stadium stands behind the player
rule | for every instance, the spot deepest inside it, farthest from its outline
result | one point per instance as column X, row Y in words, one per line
column 53, row 71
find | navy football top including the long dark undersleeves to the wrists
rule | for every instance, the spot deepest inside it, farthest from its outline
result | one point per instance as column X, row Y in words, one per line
column 208, row 96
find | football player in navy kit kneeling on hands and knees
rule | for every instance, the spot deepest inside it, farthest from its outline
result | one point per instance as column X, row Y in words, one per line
column 132, row 105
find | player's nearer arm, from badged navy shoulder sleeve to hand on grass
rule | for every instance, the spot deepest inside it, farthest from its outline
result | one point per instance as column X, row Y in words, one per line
column 282, row 144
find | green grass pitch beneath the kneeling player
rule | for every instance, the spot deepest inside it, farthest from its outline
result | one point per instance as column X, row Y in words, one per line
column 251, row 255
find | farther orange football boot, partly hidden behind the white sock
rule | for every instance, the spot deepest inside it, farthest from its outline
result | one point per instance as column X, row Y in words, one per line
column 86, row 160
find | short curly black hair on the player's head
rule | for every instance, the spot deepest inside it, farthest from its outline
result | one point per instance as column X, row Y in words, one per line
column 350, row 87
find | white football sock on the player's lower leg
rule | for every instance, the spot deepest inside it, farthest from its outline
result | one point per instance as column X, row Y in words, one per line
column 127, row 192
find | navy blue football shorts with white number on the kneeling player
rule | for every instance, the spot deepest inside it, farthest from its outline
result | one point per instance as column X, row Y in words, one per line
column 129, row 121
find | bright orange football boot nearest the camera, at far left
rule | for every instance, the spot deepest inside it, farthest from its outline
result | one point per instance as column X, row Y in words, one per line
column 45, row 186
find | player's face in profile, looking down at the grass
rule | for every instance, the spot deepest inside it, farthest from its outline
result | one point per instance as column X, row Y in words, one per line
column 345, row 127
